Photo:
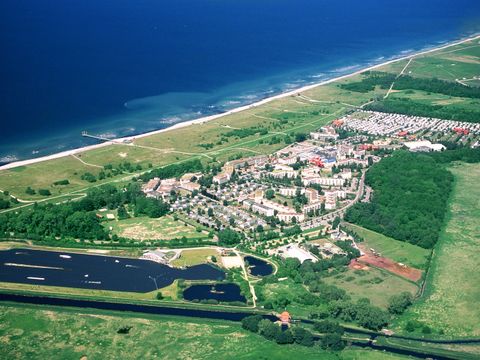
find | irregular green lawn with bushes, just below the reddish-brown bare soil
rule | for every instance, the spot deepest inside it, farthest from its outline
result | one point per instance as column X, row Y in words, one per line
column 374, row 284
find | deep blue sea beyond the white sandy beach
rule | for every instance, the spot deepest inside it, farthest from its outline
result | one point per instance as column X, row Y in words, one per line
column 122, row 67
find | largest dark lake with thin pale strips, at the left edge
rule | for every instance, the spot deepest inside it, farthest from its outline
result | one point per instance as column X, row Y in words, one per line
column 99, row 272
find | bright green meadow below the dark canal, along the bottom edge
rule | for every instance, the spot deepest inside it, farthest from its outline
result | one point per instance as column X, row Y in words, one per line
column 49, row 333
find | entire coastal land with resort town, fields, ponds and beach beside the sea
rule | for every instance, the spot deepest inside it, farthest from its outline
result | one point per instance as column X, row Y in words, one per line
column 339, row 220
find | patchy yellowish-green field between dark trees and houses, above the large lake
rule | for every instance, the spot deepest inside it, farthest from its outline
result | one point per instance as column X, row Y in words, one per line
column 143, row 228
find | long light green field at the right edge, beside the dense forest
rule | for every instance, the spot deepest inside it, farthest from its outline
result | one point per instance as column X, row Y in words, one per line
column 452, row 296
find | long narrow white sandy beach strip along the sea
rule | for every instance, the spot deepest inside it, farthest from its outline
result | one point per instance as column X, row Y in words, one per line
column 205, row 119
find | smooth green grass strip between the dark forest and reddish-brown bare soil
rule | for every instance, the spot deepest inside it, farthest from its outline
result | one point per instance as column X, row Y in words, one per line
column 399, row 251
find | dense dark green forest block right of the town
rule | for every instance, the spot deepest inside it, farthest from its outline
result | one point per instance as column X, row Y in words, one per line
column 410, row 194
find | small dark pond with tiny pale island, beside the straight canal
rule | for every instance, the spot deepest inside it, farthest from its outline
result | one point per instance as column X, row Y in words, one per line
column 219, row 292
